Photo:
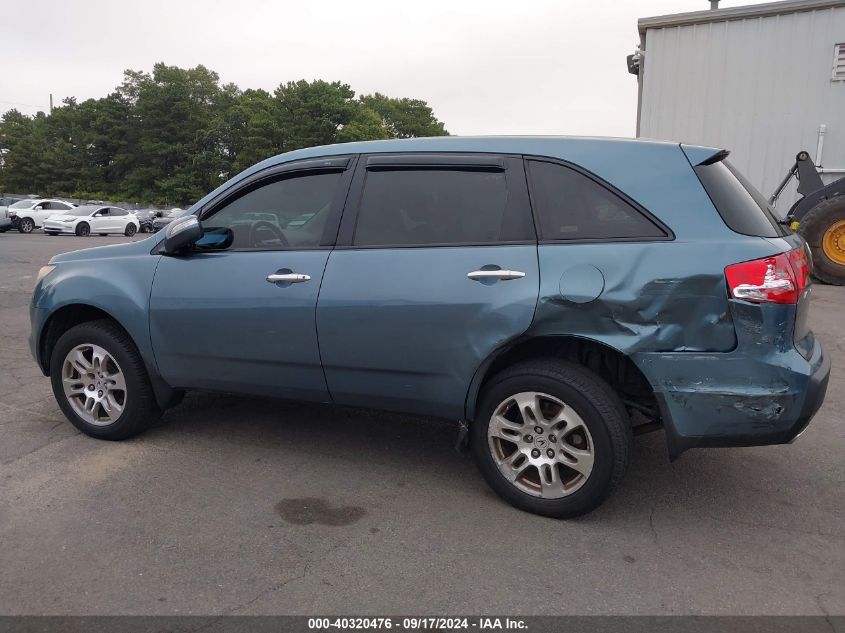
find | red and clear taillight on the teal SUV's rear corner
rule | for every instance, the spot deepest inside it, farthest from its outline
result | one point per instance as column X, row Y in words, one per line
column 777, row 279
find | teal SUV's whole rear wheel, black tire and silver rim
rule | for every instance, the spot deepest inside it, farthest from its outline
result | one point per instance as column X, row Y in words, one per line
column 551, row 438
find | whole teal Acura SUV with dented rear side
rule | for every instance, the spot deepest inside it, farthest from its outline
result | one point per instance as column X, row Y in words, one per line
column 553, row 296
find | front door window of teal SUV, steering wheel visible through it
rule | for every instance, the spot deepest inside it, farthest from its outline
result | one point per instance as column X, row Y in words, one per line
column 288, row 213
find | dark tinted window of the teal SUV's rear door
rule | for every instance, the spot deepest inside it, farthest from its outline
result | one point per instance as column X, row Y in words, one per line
column 429, row 206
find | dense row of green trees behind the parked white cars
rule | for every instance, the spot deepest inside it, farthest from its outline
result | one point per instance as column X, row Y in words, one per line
column 170, row 136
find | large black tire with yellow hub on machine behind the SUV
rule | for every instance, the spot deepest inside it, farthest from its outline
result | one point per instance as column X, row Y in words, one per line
column 827, row 216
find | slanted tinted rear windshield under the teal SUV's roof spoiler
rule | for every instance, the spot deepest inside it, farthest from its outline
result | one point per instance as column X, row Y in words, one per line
column 742, row 207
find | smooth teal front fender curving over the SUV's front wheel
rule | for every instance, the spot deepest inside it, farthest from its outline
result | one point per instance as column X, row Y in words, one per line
column 119, row 288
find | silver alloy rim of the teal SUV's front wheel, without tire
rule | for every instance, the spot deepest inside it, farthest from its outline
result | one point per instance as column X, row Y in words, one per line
column 94, row 384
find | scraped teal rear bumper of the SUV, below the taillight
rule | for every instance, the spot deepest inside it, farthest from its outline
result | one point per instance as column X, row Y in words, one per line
column 742, row 402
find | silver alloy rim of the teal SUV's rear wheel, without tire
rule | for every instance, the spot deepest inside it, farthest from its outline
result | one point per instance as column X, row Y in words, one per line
column 540, row 445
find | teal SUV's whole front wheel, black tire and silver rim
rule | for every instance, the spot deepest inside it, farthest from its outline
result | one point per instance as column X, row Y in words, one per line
column 100, row 381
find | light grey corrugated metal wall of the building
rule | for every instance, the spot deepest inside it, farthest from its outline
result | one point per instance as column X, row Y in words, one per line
column 759, row 87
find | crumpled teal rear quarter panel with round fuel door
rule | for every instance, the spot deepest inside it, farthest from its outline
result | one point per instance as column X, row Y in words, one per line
column 656, row 296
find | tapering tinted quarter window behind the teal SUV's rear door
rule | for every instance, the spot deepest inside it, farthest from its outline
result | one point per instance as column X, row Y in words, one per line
column 572, row 206
